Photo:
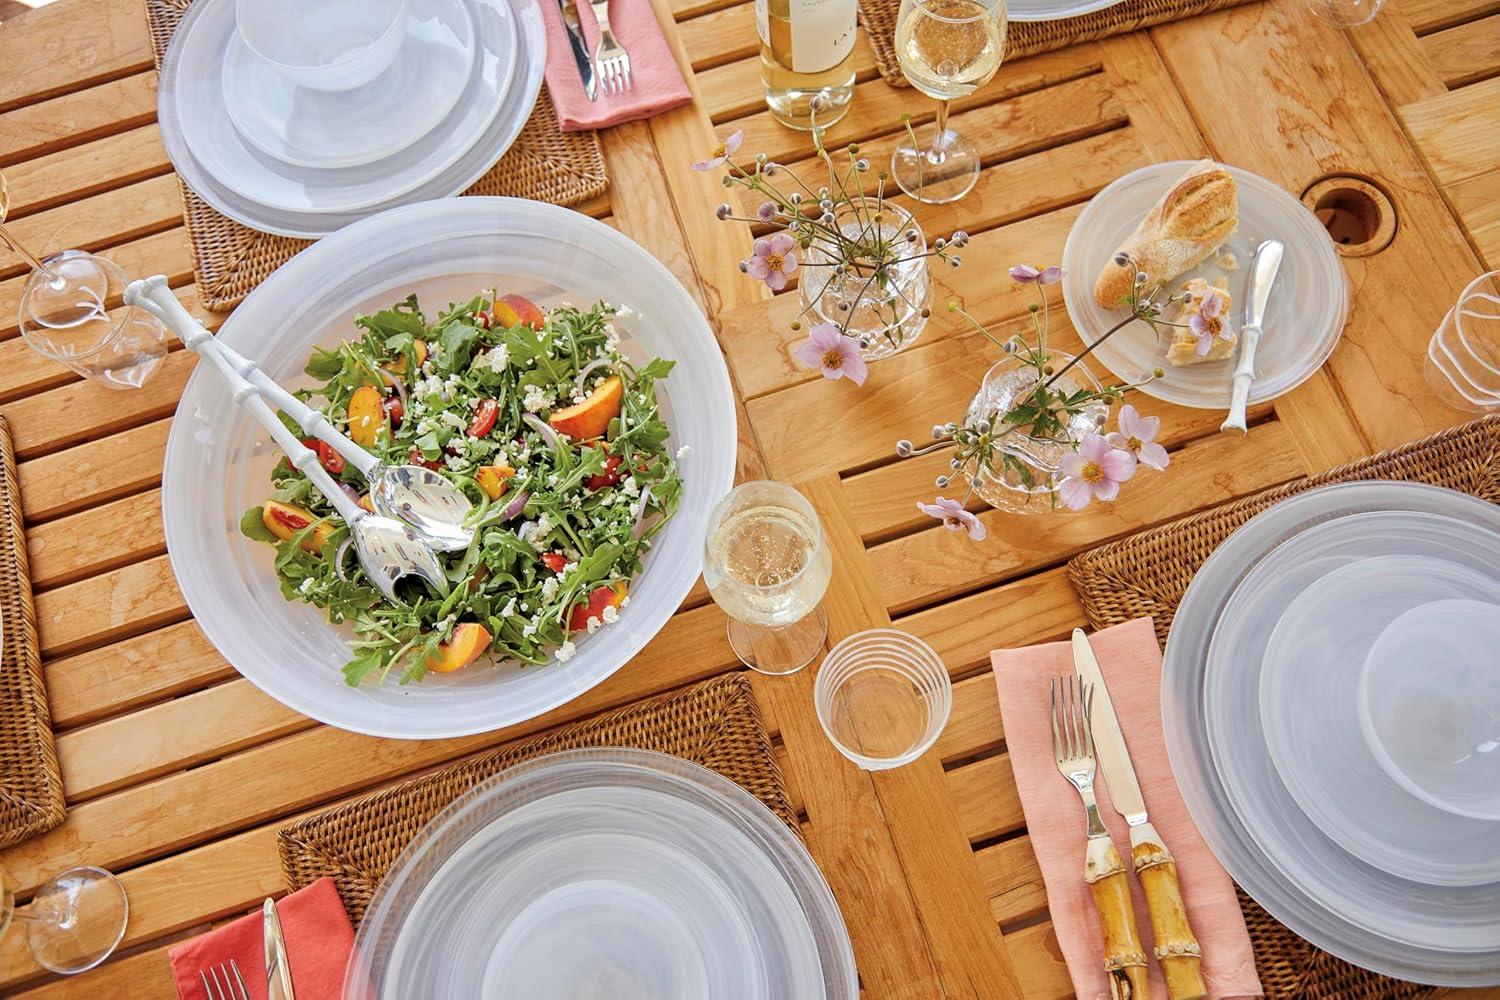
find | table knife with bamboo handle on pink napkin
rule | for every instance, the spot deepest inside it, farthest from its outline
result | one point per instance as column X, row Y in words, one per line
column 1177, row 948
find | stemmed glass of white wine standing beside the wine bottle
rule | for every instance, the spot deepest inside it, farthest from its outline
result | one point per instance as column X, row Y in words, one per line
column 947, row 49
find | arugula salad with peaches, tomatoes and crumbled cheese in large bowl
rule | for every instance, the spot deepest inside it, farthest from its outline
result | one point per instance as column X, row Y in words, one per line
column 538, row 418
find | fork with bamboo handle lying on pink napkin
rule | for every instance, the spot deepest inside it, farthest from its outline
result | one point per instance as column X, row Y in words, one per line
column 1105, row 870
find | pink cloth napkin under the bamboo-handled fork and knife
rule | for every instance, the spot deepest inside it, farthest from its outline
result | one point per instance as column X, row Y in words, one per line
column 1132, row 665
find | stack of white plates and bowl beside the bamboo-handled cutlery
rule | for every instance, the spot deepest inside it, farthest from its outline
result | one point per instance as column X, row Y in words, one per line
column 1331, row 701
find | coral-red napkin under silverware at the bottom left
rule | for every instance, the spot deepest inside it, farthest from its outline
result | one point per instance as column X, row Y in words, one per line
column 319, row 942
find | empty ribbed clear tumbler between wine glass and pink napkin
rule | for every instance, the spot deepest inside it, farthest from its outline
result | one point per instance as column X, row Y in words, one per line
column 883, row 698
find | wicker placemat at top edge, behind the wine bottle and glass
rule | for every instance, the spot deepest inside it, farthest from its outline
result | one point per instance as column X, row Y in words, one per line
column 1028, row 38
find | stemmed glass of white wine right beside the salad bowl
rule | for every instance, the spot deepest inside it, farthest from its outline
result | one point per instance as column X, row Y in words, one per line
column 767, row 566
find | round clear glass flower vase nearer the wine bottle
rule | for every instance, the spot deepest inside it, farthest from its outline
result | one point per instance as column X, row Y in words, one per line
column 877, row 295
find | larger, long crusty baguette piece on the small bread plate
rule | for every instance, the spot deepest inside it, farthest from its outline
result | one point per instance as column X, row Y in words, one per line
column 1181, row 232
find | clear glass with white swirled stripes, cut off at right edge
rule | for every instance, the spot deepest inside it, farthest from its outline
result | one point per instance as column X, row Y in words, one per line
column 1463, row 358
